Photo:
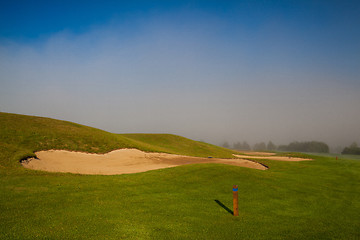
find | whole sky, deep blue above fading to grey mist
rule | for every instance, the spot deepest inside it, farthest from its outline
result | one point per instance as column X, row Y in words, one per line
column 215, row 71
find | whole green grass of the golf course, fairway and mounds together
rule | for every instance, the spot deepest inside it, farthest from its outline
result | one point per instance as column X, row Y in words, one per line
column 317, row 199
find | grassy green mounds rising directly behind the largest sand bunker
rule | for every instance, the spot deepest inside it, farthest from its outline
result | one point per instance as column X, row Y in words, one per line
column 21, row 136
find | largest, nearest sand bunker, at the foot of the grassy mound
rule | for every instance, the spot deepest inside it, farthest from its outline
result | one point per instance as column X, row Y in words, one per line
column 119, row 162
